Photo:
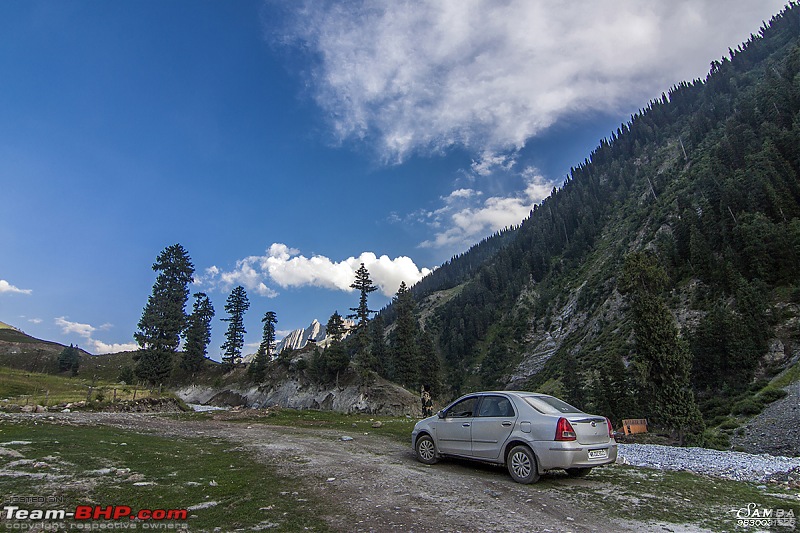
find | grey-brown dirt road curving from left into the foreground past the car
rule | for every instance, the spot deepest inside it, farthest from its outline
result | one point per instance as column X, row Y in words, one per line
column 375, row 484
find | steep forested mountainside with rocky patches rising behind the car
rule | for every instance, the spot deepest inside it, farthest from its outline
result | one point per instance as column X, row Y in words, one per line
column 707, row 180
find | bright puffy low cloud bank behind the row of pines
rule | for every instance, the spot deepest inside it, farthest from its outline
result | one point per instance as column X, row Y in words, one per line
column 287, row 268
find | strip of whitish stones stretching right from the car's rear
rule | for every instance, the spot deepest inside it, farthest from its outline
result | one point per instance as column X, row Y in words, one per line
column 737, row 466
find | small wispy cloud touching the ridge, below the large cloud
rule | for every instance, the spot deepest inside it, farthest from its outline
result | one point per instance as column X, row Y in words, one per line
column 466, row 223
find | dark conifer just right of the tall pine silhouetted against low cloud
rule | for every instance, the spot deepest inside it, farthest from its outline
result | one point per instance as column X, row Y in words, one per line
column 404, row 342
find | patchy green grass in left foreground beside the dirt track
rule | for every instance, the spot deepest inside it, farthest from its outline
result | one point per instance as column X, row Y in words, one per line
column 218, row 484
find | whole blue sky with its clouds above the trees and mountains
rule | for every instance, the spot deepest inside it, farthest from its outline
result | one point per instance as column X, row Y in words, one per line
column 284, row 143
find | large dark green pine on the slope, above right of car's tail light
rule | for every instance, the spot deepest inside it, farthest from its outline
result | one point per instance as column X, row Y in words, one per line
column 662, row 356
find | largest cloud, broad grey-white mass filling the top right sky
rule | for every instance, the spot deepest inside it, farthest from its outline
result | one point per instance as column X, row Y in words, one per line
column 423, row 76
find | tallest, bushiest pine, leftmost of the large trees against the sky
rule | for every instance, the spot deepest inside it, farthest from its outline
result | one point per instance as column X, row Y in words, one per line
column 164, row 316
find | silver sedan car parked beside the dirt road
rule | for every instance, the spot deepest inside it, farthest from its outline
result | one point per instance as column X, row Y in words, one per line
column 530, row 433
